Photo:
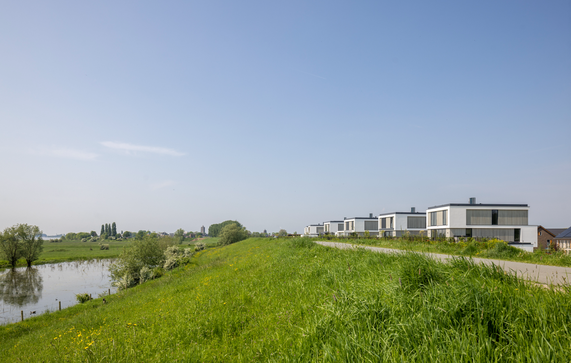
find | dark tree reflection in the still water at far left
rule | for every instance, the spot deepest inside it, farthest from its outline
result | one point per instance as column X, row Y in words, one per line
column 21, row 287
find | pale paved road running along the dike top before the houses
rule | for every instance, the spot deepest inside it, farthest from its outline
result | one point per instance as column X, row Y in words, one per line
column 538, row 273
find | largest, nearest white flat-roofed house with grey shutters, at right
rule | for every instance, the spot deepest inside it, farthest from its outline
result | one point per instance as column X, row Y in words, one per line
column 507, row 222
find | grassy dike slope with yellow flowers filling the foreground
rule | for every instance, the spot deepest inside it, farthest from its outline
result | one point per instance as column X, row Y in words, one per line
column 291, row 300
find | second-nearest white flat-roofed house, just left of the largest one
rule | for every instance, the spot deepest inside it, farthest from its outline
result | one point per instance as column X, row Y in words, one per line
column 396, row 224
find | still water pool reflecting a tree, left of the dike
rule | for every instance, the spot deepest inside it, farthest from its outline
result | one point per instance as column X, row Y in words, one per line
column 42, row 287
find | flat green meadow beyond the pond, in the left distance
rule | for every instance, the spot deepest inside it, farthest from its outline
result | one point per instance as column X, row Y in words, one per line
column 73, row 251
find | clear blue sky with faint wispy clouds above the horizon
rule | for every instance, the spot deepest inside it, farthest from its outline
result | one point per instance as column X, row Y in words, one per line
column 160, row 115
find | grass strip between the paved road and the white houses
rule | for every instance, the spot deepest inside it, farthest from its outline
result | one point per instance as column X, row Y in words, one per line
column 474, row 249
